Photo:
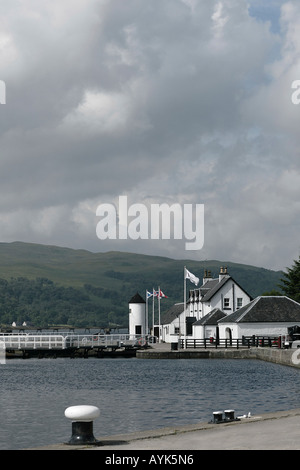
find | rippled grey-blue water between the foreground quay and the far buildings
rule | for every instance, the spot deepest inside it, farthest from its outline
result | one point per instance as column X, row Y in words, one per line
column 134, row 394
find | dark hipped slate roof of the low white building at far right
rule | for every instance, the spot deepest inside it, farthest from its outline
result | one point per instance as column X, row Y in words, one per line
column 266, row 309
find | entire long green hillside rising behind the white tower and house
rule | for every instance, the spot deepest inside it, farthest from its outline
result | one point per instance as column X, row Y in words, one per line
column 46, row 285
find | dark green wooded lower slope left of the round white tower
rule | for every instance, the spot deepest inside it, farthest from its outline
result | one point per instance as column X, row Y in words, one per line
column 41, row 302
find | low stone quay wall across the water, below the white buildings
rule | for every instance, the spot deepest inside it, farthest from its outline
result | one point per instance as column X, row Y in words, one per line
column 288, row 357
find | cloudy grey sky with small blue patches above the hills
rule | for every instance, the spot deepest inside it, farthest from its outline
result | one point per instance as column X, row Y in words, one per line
column 162, row 101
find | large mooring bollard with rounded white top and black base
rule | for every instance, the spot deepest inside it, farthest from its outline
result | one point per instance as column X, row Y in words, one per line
column 82, row 417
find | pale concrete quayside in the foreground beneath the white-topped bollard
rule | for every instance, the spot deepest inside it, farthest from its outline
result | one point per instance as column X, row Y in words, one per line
column 270, row 431
